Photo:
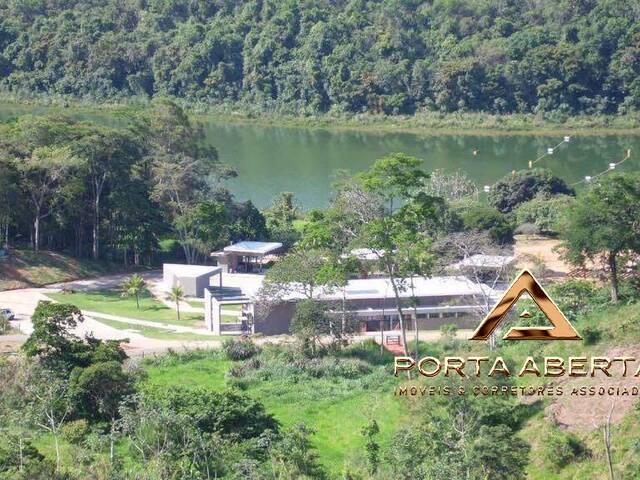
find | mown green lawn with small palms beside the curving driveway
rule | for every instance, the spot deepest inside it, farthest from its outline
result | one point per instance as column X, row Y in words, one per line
column 112, row 303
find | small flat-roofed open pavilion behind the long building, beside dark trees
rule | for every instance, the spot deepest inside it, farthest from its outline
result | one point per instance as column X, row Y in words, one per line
column 247, row 256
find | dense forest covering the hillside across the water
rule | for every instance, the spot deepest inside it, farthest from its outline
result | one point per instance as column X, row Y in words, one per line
column 392, row 56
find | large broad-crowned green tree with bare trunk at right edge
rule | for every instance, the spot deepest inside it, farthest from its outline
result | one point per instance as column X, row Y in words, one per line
column 604, row 221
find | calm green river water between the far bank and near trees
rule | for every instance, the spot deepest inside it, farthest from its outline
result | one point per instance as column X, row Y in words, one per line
column 270, row 160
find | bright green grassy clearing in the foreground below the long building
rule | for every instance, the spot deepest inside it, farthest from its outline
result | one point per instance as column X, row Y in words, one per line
column 336, row 408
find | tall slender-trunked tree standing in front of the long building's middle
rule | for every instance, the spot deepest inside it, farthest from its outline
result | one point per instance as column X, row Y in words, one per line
column 386, row 210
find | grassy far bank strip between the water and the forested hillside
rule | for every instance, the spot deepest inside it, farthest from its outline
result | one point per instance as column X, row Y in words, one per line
column 424, row 123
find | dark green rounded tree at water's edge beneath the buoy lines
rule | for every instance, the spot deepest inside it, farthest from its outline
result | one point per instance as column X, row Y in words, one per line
column 515, row 189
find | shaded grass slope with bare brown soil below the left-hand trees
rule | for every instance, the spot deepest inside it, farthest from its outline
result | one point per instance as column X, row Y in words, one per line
column 25, row 268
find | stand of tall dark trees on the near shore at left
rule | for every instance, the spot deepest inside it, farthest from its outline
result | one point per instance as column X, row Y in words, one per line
column 115, row 192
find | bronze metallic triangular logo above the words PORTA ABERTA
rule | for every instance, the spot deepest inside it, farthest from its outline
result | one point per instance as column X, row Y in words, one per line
column 526, row 282
